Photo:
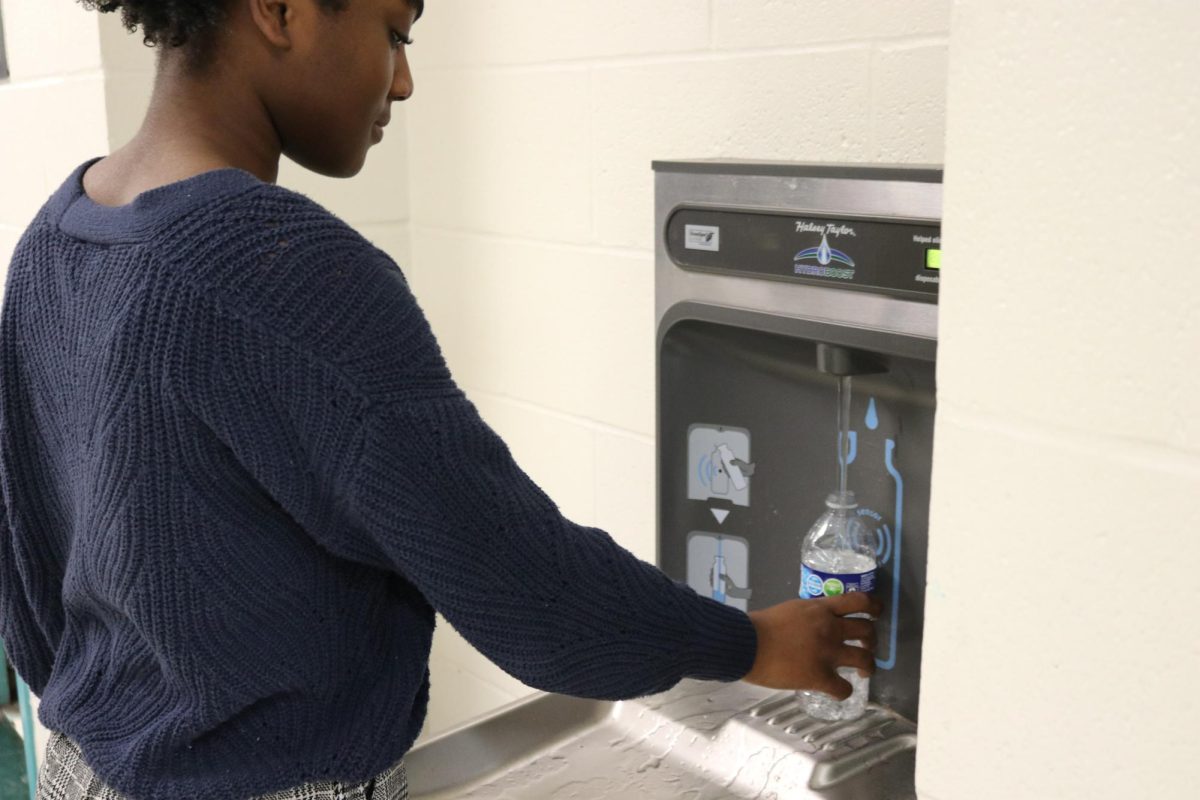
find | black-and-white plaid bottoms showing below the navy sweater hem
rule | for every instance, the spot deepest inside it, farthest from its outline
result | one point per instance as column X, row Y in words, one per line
column 67, row 777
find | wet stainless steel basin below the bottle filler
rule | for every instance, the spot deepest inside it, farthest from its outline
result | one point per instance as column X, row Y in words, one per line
column 701, row 741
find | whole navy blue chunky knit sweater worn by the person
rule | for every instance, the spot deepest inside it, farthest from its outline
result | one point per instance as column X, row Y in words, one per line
column 238, row 480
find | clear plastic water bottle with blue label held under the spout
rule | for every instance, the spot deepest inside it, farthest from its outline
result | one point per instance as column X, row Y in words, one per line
column 838, row 557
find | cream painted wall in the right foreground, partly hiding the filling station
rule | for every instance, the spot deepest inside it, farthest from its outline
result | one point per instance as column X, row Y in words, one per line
column 1061, row 645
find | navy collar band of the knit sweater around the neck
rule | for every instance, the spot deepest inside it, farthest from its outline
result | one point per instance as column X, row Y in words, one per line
column 77, row 215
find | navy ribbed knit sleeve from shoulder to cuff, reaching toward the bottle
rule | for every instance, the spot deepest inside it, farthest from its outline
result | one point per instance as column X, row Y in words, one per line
column 334, row 394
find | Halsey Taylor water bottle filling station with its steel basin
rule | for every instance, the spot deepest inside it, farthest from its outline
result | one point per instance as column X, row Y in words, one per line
column 796, row 312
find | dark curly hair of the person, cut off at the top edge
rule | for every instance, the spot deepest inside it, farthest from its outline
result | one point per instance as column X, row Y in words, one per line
column 189, row 25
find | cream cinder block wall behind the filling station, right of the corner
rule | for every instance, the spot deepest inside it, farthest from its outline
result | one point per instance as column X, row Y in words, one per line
column 531, row 137
